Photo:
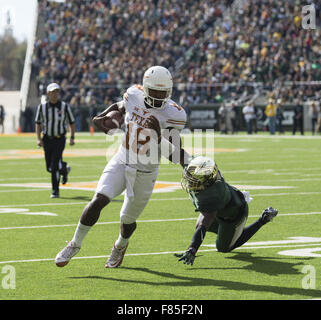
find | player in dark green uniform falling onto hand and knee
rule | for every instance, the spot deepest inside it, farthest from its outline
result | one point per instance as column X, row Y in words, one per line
column 223, row 209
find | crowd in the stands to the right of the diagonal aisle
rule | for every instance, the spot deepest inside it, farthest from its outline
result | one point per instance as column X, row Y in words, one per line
column 261, row 42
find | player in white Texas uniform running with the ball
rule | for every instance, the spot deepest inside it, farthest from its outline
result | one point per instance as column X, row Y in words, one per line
column 149, row 114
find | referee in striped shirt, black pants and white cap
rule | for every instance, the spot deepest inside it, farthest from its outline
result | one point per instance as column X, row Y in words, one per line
column 51, row 119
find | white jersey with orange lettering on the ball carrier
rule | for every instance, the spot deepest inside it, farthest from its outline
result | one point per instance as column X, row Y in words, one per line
column 137, row 149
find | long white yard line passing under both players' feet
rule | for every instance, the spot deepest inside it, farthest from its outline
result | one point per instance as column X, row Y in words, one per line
column 250, row 246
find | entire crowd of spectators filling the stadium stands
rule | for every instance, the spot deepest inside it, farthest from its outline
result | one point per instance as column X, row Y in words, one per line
column 95, row 49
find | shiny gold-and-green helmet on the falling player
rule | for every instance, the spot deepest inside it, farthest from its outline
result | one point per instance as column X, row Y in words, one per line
column 199, row 174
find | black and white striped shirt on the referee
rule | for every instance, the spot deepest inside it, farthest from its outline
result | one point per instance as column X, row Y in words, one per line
column 53, row 118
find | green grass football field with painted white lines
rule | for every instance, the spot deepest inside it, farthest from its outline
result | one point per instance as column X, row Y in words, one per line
column 281, row 171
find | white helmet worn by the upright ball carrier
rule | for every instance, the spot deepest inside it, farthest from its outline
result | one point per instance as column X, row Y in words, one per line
column 157, row 86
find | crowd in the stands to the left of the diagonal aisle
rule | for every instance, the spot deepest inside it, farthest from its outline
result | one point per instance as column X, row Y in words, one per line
column 98, row 47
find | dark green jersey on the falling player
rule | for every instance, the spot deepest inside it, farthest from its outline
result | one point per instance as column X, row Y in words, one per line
column 221, row 197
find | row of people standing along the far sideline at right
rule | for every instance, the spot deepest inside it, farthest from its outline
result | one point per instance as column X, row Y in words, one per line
column 271, row 117
